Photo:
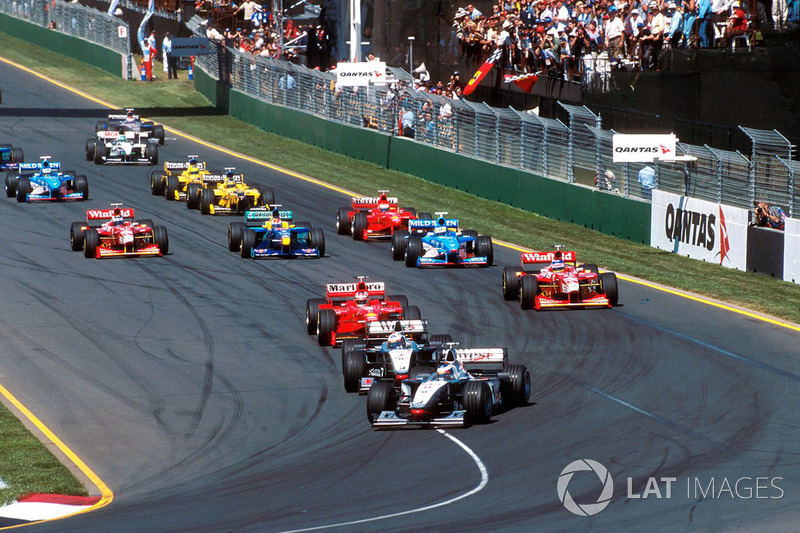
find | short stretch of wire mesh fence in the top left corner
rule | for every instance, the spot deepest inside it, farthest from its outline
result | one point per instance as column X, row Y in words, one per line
column 73, row 19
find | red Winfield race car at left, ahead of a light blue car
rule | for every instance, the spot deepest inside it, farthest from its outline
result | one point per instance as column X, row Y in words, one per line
column 118, row 236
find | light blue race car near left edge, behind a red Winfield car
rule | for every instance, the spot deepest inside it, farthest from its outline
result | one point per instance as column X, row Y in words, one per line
column 44, row 181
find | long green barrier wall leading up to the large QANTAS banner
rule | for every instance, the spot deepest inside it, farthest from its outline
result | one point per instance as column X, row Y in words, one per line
column 621, row 217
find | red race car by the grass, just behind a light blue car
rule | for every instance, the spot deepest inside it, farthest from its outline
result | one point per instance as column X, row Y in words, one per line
column 374, row 216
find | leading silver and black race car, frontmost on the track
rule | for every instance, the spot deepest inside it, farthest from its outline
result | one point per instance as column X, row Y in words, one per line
column 468, row 387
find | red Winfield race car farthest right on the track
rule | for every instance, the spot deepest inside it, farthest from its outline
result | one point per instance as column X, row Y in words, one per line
column 554, row 279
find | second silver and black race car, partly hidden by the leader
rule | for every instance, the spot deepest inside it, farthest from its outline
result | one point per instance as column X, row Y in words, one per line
column 392, row 352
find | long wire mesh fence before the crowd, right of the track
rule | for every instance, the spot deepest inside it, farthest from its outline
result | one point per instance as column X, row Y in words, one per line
column 576, row 152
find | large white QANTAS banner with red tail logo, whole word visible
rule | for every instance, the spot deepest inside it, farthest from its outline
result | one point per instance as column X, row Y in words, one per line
column 699, row 229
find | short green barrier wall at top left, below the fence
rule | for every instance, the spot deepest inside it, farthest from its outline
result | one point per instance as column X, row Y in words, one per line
column 74, row 47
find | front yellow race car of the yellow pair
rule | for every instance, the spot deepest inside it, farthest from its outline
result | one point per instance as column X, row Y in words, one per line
column 233, row 196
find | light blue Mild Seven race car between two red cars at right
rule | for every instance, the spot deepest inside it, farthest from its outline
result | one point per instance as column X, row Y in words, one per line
column 440, row 243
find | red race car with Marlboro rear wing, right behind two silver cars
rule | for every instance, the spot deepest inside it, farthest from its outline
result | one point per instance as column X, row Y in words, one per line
column 348, row 307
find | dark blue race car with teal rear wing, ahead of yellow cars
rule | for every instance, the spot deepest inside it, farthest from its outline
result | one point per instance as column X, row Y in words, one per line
column 271, row 234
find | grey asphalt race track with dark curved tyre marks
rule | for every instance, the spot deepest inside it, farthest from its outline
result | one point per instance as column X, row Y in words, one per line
column 189, row 386
